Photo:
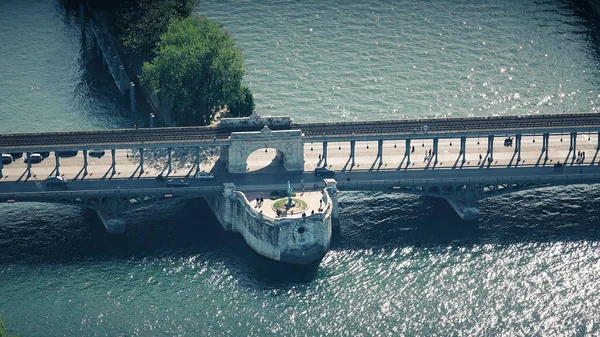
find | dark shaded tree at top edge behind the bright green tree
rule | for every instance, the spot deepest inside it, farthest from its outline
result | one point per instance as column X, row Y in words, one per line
column 140, row 23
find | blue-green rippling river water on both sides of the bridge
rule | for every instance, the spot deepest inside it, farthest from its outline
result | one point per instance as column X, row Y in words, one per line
column 399, row 265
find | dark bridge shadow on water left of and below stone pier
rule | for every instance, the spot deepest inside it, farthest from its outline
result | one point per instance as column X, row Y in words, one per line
column 56, row 234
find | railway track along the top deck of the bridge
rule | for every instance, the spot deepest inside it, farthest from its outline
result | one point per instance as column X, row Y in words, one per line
column 206, row 135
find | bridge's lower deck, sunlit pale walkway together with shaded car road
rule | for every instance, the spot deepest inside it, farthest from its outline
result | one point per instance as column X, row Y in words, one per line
column 262, row 166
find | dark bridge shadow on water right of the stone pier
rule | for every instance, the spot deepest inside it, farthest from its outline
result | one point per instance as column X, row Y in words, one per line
column 388, row 221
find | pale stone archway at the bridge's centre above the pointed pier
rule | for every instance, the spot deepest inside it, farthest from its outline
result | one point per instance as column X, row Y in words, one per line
column 287, row 143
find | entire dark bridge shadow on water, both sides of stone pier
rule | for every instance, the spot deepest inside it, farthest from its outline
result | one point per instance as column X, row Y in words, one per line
column 180, row 230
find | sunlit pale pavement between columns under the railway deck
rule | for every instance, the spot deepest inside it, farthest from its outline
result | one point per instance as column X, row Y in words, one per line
column 366, row 159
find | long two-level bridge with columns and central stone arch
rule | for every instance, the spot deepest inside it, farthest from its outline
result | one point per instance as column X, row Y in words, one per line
column 453, row 158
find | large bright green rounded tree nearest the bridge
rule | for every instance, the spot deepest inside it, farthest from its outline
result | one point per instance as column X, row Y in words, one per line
column 197, row 68
